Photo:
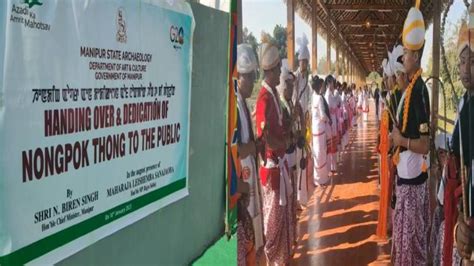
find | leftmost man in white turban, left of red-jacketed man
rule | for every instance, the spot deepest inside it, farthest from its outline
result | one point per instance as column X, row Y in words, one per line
column 249, row 215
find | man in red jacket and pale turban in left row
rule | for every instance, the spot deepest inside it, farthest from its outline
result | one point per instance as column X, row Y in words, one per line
column 270, row 131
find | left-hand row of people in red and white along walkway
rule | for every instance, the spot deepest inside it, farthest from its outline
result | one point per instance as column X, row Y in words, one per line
column 302, row 127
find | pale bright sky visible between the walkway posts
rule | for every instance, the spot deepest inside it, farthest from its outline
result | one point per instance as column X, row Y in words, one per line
column 263, row 15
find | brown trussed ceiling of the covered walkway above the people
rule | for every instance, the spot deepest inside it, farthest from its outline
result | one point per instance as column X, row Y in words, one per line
column 367, row 28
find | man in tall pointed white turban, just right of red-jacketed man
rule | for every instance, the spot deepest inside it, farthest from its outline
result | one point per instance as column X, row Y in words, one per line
column 302, row 102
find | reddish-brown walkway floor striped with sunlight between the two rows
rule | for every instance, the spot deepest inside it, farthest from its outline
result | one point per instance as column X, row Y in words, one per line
column 341, row 219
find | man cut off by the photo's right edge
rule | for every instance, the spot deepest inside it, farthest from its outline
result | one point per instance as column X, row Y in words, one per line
column 463, row 146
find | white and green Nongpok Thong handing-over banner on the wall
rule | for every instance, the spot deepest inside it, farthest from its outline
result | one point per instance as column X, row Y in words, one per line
column 94, row 120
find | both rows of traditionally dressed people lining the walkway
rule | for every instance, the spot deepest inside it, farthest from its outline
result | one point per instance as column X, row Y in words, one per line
column 302, row 125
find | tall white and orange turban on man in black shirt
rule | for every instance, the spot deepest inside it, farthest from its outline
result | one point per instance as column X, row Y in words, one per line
column 414, row 29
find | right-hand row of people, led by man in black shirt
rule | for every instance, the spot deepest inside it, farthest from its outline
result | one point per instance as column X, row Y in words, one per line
column 419, row 236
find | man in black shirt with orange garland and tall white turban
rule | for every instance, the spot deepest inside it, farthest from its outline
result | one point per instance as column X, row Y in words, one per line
column 412, row 139
